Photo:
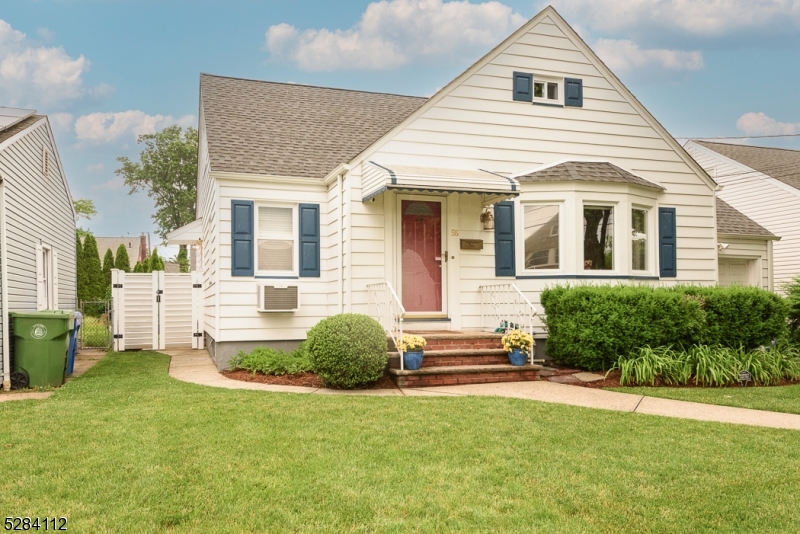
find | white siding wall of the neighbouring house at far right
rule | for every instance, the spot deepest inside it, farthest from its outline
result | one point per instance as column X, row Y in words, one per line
column 772, row 204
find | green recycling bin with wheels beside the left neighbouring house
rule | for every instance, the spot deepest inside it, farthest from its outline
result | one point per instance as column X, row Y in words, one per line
column 41, row 343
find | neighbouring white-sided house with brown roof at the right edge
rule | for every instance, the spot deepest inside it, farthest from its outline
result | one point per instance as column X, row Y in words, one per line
column 764, row 184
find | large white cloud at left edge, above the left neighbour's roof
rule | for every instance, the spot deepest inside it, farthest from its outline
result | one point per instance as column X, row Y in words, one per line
column 34, row 76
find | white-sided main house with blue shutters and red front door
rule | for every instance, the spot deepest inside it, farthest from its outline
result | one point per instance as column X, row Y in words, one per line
column 535, row 166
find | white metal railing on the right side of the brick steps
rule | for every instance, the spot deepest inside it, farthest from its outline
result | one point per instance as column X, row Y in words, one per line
column 505, row 307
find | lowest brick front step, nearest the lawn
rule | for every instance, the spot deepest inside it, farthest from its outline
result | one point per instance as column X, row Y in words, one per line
column 465, row 374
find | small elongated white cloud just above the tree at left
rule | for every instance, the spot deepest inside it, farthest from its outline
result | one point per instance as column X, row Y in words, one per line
column 108, row 127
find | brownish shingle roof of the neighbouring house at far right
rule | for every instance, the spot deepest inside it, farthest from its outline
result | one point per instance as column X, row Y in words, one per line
column 779, row 163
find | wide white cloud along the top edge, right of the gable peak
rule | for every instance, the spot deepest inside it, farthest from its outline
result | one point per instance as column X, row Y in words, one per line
column 697, row 17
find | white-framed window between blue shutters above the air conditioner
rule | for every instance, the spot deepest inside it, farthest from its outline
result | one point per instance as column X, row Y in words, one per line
column 277, row 239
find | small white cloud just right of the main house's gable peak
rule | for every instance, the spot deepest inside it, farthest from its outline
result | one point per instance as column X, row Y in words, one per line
column 624, row 55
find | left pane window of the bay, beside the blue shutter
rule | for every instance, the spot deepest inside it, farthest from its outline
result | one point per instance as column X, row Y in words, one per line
column 541, row 236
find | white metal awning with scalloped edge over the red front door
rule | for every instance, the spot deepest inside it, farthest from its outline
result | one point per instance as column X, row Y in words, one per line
column 378, row 178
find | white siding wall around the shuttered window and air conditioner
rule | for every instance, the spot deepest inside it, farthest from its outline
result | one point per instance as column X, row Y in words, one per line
column 238, row 318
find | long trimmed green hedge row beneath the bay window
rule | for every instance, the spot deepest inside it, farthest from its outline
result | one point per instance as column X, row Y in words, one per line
column 592, row 326
